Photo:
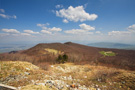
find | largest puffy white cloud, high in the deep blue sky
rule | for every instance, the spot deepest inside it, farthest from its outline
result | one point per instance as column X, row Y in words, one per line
column 75, row 14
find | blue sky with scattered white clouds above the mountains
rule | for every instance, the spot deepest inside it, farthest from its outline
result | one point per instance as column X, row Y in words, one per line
column 80, row 21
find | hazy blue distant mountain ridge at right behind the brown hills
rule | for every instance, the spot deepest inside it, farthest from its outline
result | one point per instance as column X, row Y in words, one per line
column 113, row 45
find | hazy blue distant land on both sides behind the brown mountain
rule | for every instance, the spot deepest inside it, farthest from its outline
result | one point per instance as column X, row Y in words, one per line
column 16, row 47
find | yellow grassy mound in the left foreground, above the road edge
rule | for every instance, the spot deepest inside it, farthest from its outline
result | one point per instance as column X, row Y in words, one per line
column 19, row 70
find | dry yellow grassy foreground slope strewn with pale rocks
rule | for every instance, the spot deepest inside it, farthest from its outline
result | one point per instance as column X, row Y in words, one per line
column 26, row 76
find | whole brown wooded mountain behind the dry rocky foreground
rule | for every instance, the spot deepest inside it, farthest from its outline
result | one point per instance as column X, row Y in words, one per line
column 77, row 53
